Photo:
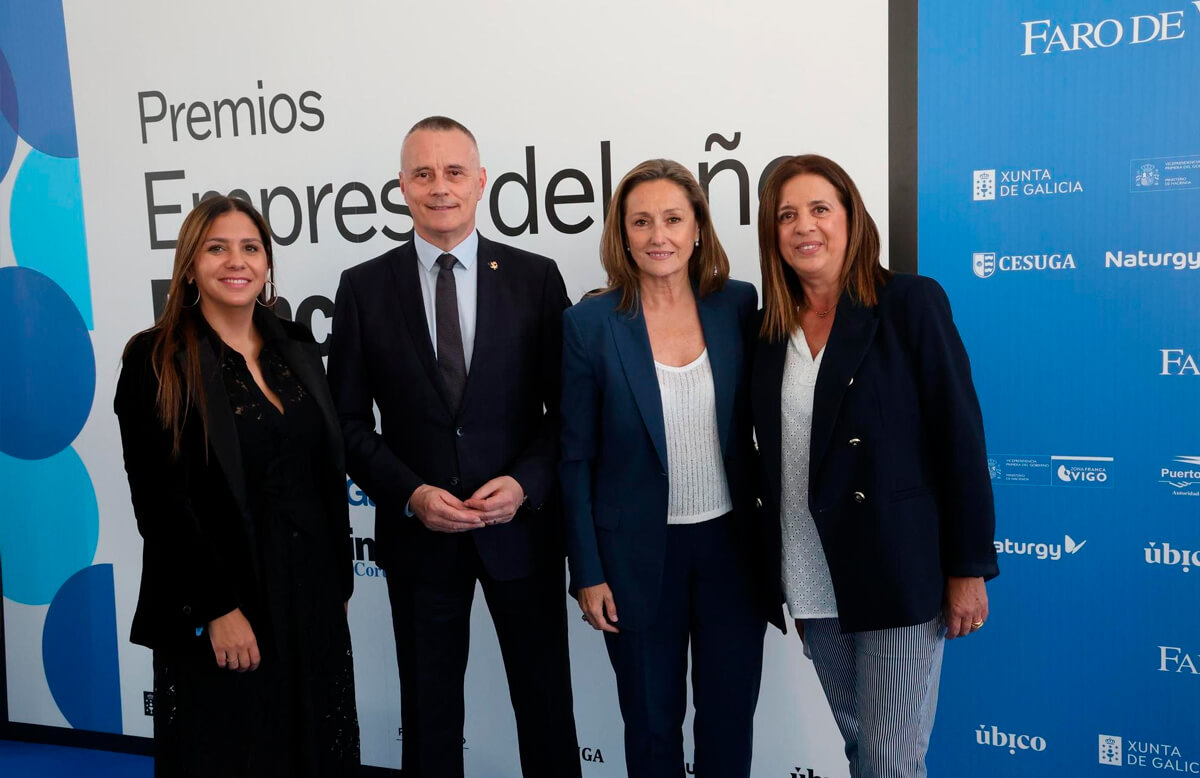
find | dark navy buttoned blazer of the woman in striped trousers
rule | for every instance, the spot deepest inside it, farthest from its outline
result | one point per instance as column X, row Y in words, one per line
column 898, row 483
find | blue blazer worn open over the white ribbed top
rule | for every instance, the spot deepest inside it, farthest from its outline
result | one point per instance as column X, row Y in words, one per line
column 614, row 466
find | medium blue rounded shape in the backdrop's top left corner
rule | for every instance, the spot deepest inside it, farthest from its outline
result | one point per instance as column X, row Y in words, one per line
column 34, row 40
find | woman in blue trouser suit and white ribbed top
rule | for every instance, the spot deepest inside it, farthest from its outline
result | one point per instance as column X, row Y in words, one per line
column 659, row 480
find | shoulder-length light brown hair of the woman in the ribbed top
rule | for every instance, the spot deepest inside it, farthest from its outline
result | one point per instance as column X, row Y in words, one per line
column 709, row 266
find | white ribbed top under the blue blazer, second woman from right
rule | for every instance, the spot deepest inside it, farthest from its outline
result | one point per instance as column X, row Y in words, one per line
column 695, row 468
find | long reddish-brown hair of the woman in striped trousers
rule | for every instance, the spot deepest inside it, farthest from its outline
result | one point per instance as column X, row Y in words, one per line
column 861, row 273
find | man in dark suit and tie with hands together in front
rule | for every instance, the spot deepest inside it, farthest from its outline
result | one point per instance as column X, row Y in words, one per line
column 459, row 343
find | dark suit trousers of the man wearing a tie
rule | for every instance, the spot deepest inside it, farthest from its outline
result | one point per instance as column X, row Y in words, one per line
column 433, row 627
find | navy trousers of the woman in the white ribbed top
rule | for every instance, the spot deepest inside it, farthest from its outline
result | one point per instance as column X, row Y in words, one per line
column 707, row 602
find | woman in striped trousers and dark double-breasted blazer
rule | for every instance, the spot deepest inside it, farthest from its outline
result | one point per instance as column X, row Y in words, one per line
column 879, row 512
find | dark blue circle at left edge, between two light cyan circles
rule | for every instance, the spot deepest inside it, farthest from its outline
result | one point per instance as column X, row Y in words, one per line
column 47, row 367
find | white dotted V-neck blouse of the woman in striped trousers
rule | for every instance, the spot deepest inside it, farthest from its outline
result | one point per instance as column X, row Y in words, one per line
column 807, row 580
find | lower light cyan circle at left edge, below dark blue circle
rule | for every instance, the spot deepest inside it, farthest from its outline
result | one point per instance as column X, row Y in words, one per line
column 50, row 524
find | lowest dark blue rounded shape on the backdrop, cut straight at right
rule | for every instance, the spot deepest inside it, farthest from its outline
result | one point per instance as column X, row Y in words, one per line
column 80, row 651
